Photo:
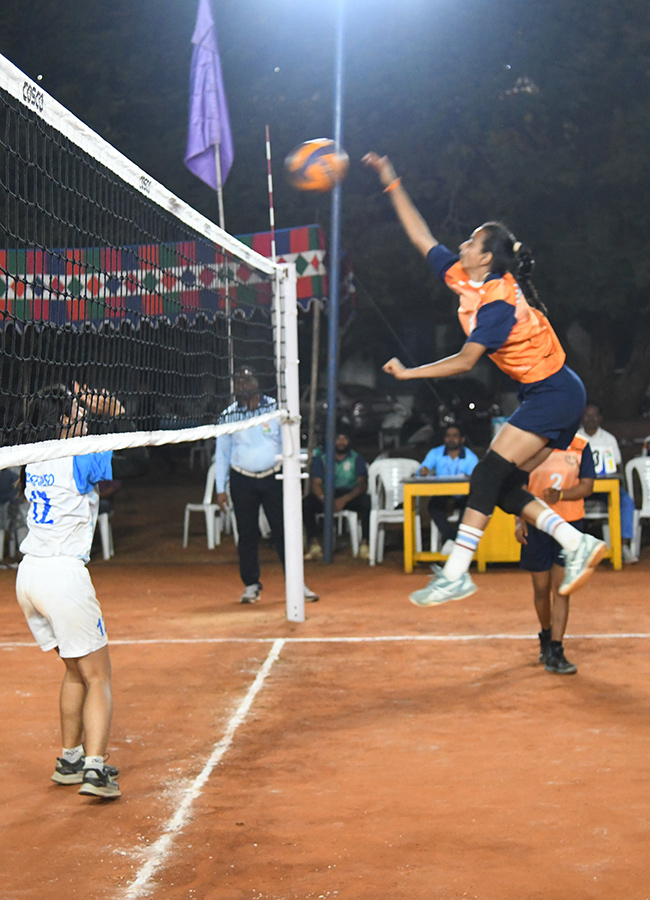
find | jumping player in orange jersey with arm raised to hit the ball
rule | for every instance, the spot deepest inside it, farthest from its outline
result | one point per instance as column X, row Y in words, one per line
column 499, row 316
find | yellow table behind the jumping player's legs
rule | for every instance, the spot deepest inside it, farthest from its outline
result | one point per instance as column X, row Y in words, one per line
column 498, row 543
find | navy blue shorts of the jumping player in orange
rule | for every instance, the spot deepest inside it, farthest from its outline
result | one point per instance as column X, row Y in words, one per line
column 552, row 408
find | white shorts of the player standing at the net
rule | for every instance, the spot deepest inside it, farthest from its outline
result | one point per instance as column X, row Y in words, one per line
column 59, row 602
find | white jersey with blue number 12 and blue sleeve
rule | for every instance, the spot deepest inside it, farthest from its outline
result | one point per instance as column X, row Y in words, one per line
column 63, row 504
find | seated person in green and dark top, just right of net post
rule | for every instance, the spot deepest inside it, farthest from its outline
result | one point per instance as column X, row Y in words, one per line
column 350, row 492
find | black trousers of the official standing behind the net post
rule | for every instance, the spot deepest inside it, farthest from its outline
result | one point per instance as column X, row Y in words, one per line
column 248, row 494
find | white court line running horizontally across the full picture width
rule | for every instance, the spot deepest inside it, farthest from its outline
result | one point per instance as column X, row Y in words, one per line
column 377, row 639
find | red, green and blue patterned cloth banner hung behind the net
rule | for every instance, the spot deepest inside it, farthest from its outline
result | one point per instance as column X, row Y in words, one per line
column 170, row 281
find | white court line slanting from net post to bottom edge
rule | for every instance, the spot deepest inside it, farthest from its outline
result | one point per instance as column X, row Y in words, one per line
column 159, row 851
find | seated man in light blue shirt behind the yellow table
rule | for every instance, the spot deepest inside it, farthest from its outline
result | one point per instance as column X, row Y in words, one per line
column 451, row 459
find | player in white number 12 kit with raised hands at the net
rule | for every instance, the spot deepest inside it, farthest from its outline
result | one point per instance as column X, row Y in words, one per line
column 56, row 594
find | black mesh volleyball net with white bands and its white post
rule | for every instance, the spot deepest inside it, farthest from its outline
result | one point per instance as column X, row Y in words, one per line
column 112, row 285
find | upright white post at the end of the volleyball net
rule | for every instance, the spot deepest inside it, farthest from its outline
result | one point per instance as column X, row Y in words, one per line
column 292, row 494
